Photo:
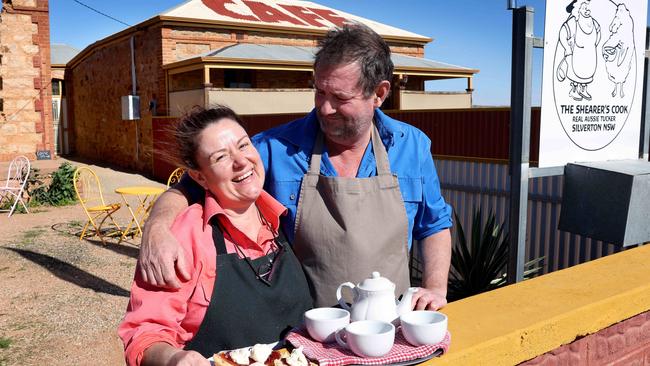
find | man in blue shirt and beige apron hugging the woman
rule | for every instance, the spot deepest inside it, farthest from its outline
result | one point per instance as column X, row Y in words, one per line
column 359, row 186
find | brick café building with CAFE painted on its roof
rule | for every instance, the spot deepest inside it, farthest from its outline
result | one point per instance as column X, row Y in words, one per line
column 255, row 56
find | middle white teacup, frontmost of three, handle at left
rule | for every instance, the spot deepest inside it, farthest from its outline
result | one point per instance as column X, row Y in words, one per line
column 367, row 338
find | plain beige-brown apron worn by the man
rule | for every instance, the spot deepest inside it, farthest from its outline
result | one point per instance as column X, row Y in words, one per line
column 346, row 228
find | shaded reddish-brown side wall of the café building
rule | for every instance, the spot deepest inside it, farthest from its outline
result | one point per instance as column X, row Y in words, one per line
column 95, row 87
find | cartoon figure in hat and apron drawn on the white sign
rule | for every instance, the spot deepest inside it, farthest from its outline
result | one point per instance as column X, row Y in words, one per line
column 579, row 36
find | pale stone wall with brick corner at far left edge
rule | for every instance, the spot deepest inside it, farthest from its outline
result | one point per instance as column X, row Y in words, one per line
column 25, row 90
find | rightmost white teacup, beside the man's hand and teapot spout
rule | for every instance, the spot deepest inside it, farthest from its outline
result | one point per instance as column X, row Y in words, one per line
column 421, row 327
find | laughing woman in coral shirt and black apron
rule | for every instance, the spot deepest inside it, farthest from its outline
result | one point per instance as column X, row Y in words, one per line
column 247, row 286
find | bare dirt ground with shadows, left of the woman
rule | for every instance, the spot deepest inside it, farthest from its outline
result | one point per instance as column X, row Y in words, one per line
column 61, row 299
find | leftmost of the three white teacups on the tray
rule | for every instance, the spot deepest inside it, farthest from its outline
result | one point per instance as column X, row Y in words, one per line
column 321, row 323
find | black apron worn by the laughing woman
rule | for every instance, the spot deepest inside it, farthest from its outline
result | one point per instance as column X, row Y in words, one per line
column 243, row 310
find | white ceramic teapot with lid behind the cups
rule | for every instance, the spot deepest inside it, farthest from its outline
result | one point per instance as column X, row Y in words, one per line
column 374, row 299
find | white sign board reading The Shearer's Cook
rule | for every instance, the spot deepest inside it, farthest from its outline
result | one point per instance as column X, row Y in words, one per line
column 592, row 82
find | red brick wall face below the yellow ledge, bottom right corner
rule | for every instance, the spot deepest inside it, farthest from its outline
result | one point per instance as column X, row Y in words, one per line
column 624, row 343
